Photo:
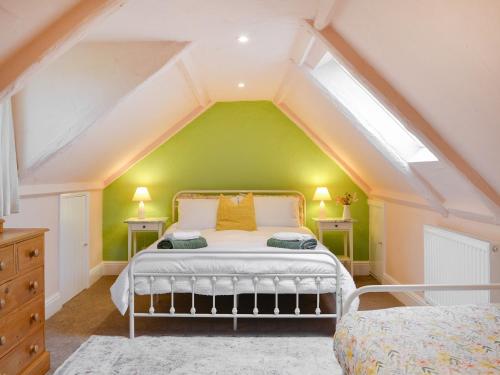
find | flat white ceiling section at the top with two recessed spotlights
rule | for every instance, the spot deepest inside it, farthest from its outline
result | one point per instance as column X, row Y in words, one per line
column 215, row 26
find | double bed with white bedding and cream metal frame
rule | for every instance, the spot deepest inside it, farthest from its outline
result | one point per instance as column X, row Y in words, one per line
column 235, row 262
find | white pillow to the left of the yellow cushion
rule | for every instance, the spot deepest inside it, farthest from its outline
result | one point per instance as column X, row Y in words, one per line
column 197, row 213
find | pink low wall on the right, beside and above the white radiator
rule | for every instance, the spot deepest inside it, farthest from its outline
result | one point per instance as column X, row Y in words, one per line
column 405, row 241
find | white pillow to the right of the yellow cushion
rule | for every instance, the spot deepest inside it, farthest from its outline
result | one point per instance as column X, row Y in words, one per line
column 277, row 211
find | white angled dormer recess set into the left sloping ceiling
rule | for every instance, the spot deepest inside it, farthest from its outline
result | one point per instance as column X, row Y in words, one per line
column 70, row 95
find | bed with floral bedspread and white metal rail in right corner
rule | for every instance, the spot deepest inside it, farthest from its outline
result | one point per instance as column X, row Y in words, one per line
column 420, row 339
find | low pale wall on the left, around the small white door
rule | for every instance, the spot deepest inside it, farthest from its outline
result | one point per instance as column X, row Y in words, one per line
column 43, row 212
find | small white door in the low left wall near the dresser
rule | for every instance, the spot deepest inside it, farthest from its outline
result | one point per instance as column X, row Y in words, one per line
column 74, row 269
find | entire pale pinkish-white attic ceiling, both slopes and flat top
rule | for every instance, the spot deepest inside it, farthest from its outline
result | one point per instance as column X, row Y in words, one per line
column 442, row 57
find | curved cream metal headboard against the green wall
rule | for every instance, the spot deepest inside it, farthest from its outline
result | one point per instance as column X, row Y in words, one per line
column 193, row 194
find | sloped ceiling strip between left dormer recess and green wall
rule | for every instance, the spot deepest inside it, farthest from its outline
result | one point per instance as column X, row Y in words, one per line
column 127, row 130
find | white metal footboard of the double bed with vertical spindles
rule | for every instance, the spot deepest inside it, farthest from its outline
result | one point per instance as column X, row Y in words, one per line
column 235, row 279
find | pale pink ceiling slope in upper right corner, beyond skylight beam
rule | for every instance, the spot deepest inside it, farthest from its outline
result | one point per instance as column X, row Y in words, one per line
column 444, row 57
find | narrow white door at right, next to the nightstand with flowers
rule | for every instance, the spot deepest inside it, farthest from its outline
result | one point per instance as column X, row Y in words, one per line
column 377, row 240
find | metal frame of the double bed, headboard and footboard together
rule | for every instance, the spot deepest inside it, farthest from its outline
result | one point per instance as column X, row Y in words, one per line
column 256, row 278
